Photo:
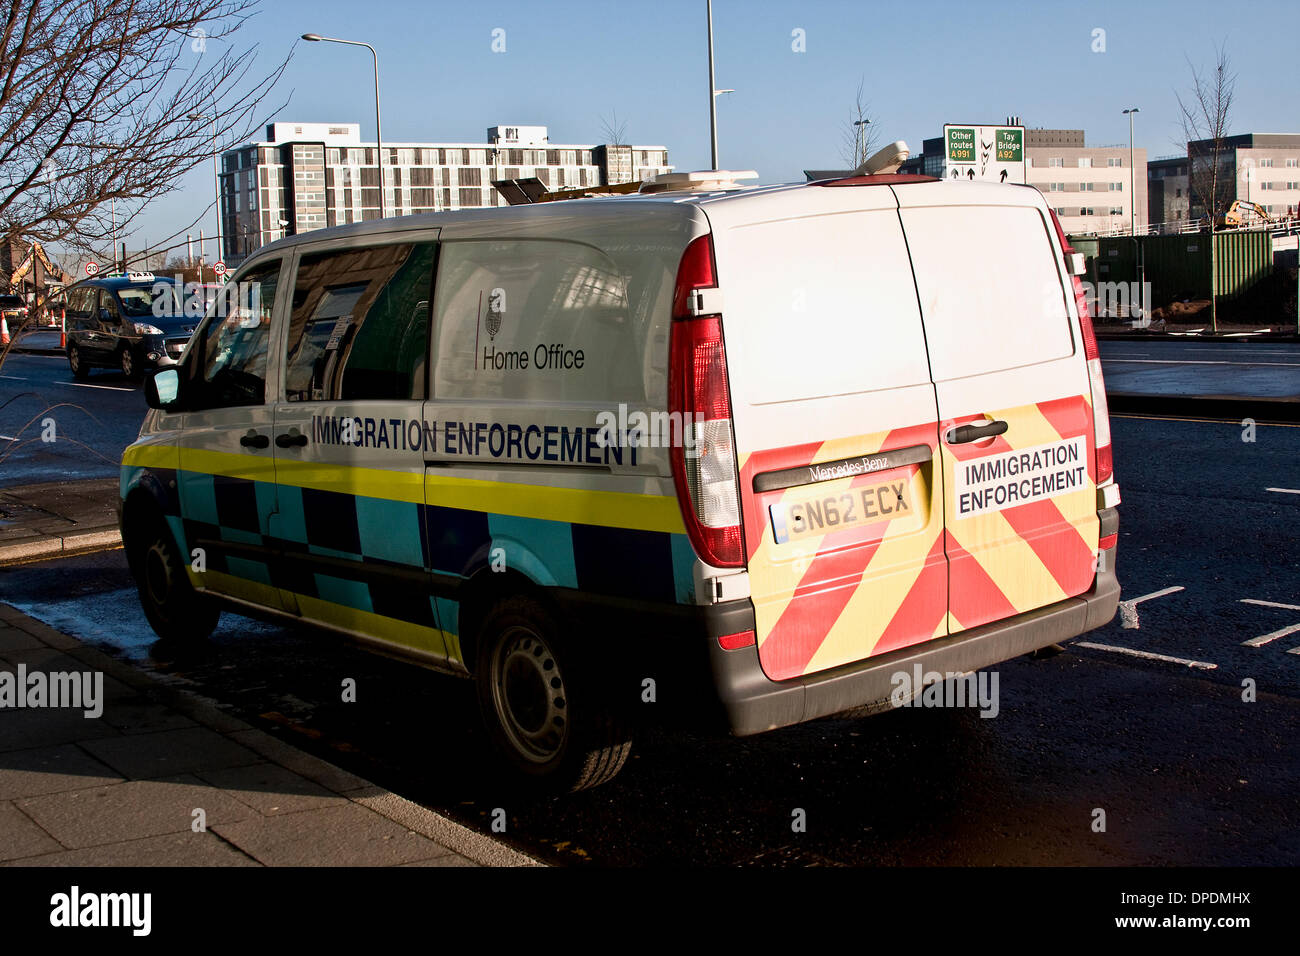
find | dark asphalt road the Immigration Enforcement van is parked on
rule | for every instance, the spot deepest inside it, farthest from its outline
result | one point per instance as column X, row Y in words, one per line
column 1185, row 769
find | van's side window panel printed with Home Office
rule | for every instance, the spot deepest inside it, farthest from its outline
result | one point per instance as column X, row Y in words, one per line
column 534, row 321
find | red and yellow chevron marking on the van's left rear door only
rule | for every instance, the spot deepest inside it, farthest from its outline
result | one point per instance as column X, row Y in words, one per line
column 827, row 600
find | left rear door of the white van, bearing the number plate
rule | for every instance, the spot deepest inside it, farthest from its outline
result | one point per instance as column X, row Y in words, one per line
column 835, row 426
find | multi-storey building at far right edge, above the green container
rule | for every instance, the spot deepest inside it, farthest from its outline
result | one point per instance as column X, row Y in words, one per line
column 1259, row 167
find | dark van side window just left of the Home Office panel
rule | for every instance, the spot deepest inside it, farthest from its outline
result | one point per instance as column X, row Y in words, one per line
column 359, row 327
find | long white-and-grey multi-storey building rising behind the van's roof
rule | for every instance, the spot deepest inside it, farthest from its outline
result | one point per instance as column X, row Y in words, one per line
column 309, row 176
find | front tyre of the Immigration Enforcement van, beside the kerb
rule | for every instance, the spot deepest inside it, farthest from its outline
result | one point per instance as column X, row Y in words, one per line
column 175, row 609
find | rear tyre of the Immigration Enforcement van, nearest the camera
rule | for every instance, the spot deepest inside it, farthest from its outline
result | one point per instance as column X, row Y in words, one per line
column 543, row 712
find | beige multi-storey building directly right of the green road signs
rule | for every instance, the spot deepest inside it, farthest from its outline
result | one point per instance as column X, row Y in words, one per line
column 1091, row 188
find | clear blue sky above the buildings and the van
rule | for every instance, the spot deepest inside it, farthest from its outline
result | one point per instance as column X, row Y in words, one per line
column 569, row 63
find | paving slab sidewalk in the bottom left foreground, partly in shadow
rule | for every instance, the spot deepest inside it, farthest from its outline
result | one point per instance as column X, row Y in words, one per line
column 125, row 789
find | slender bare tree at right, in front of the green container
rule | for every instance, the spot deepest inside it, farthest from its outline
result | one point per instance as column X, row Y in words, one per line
column 1206, row 116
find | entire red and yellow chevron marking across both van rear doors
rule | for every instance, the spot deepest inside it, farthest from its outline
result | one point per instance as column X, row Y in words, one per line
column 833, row 599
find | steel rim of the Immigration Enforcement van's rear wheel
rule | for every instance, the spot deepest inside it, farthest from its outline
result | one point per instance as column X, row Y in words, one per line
column 528, row 695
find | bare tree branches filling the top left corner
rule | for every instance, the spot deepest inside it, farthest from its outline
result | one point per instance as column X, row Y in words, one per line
column 106, row 105
